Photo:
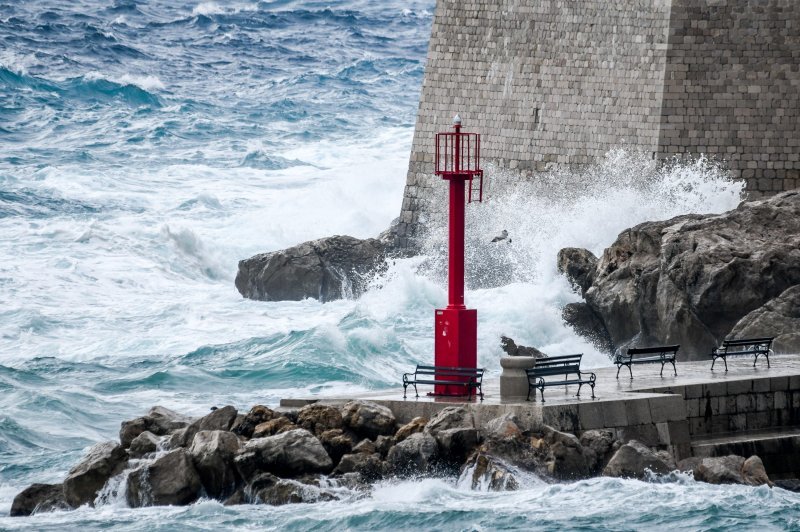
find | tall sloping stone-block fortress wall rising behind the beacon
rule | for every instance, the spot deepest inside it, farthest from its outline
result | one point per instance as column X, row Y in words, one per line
column 553, row 83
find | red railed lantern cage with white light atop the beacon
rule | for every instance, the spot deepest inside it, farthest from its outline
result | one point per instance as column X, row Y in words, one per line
column 458, row 157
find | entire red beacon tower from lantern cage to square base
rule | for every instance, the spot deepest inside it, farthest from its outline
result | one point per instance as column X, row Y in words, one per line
column 456, row 341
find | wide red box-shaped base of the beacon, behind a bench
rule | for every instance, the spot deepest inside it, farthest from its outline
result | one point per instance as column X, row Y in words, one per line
column 456, row 344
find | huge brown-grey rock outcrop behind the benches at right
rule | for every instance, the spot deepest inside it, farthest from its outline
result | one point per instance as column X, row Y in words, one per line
column 694, row 280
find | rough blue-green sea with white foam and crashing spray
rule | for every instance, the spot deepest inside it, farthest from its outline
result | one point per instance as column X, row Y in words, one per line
column 147, row 146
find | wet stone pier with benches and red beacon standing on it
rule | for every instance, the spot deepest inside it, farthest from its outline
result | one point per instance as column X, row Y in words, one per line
column 699, row 412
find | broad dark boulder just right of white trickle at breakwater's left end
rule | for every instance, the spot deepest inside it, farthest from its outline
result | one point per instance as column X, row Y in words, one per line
column 170, row 480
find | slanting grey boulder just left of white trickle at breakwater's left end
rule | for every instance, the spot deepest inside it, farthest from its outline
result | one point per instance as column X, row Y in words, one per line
column 102, row 462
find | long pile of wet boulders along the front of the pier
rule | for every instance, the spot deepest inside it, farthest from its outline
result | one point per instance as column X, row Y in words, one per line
column 326, row 451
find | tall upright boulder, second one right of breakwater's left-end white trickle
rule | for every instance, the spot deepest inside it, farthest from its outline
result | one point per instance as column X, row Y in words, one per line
column 213, row 452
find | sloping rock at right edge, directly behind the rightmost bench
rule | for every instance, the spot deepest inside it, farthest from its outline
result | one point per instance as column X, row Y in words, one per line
column 779, row 318
